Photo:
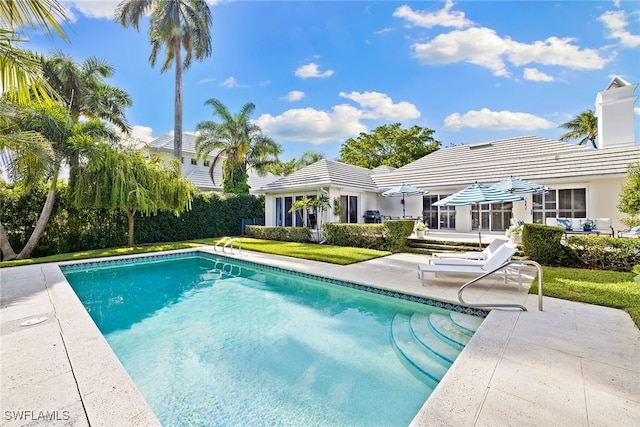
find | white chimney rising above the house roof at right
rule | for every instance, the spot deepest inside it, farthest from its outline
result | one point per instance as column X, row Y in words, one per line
column 614, row 110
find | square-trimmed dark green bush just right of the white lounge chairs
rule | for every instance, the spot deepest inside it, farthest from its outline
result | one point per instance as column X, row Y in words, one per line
column 543, row 244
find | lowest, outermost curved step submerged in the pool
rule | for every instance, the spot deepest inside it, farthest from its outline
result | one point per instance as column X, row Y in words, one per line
column 413, row 352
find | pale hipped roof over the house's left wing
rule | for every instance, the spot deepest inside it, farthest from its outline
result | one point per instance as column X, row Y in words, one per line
column 326, row 173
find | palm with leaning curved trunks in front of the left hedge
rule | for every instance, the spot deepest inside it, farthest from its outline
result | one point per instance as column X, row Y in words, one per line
column 61, row 140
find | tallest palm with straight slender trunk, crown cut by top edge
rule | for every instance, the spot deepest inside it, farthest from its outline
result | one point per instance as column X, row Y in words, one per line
column 174, row 25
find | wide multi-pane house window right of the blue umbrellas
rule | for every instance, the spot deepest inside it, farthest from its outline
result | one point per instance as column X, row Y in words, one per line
column 567, row 203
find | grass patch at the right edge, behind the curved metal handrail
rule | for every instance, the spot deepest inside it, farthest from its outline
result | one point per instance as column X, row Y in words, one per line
column 606, row 288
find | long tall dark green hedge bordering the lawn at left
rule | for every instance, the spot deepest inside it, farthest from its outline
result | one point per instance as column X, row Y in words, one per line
column 71, row 229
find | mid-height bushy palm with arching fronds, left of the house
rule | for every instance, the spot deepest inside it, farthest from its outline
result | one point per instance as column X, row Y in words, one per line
column 238, row 142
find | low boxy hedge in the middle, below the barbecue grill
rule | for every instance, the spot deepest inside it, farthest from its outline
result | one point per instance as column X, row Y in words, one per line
column 369, row 236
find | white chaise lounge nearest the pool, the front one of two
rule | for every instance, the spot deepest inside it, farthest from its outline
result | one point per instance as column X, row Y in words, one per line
column 475, row 267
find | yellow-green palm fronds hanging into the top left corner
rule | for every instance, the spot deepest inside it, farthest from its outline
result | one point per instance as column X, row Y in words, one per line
column 20, row 70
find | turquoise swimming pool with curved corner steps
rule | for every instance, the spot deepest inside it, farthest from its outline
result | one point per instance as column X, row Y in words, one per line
column 208, row 341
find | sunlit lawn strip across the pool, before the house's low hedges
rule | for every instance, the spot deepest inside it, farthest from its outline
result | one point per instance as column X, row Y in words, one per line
column 341, row 255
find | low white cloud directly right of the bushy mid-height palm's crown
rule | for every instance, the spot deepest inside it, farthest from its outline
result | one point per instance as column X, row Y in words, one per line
column 314, row 126
